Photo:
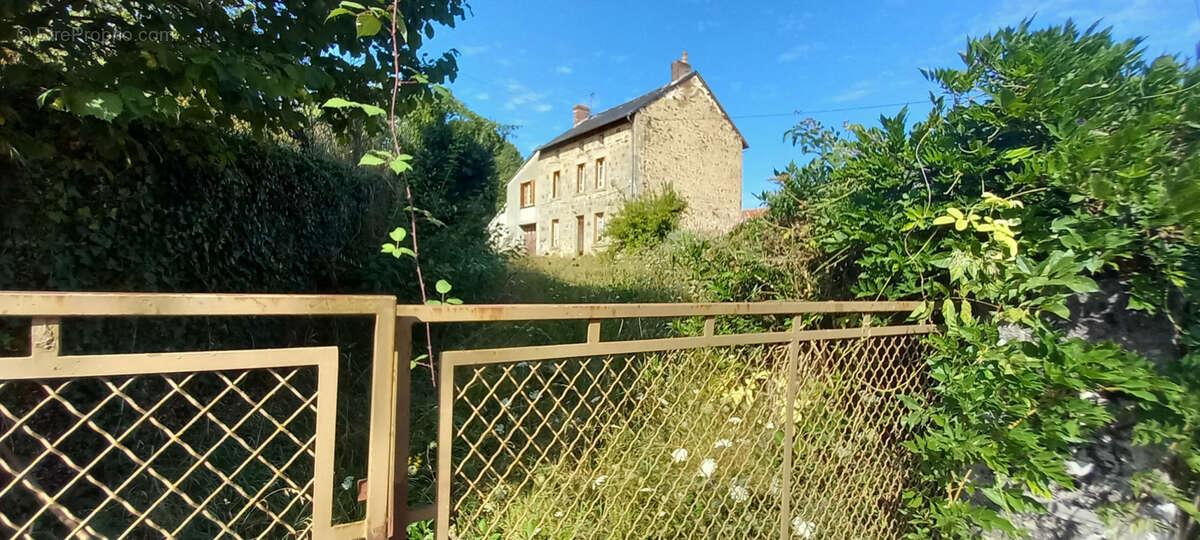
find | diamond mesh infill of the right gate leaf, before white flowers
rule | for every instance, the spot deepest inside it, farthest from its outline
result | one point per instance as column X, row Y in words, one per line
column 685, row 445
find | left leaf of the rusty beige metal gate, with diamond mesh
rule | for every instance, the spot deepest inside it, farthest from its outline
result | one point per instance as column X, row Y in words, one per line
column 193, row 445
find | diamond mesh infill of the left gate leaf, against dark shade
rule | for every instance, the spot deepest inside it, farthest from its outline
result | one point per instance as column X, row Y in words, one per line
column 193, row 455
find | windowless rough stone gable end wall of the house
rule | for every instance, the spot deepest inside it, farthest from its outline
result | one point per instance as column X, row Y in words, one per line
column 685, row 141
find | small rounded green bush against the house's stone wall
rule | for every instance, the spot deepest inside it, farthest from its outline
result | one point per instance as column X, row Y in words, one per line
column 646, row 221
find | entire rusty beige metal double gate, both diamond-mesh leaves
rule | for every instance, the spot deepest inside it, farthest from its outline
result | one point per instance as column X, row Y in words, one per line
column 581, row 440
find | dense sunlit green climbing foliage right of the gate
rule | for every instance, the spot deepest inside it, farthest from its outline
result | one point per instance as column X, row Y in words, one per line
column 1052, row 159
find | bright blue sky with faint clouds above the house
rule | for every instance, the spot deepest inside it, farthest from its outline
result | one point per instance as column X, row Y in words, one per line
column 770, row 64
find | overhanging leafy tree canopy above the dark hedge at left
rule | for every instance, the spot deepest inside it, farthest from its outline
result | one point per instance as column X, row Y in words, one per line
column 236, row 64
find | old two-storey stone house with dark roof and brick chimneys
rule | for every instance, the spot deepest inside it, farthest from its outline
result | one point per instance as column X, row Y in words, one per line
column 676, row 136
